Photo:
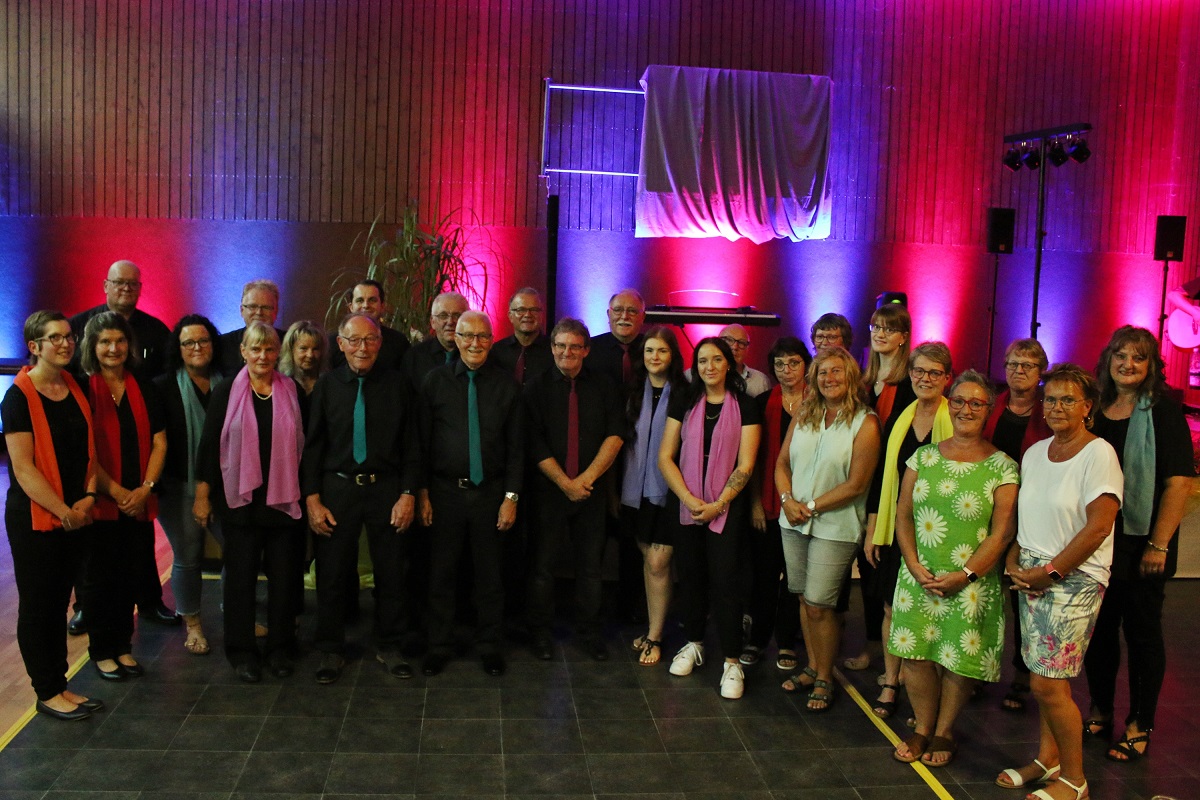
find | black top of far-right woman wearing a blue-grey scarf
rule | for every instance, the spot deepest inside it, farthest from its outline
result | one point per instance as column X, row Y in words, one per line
column 1173, row 459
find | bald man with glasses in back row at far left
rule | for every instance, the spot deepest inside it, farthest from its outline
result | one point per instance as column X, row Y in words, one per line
column 123, row 290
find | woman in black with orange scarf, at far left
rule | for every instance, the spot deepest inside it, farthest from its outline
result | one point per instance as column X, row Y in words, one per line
column 52, row 490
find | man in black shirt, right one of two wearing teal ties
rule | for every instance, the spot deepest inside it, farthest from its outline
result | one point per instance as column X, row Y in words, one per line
column 472, row 440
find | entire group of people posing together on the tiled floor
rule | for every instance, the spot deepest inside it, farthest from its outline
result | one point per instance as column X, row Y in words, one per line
column 1065, row 491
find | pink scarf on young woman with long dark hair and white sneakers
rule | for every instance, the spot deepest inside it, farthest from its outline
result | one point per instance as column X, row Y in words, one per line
column 722, row 459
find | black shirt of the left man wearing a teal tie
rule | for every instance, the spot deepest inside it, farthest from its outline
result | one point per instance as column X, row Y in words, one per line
column 393, row 447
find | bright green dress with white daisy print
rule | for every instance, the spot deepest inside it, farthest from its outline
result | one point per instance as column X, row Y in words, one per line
column 952, row 506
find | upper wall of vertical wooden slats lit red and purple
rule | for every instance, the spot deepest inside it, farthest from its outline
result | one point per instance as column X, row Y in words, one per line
column 333, row 111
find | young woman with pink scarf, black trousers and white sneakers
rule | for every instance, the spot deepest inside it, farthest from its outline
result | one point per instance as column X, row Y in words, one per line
column 709, row 452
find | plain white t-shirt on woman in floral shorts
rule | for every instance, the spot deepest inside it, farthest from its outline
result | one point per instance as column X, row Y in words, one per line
column 1053, row 504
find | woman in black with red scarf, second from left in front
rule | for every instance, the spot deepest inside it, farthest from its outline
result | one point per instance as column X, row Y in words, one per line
column 131, row 448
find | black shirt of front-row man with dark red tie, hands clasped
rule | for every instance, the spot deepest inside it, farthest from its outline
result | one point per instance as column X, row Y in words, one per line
column 545, row 402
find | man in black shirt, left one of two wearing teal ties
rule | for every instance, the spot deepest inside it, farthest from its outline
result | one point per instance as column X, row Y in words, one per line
column 361, row 466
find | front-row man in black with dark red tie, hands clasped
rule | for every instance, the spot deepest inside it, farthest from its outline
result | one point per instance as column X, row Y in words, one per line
column 572, row 450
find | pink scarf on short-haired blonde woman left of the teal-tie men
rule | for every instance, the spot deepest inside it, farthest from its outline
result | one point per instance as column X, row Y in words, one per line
column 241, row 467
